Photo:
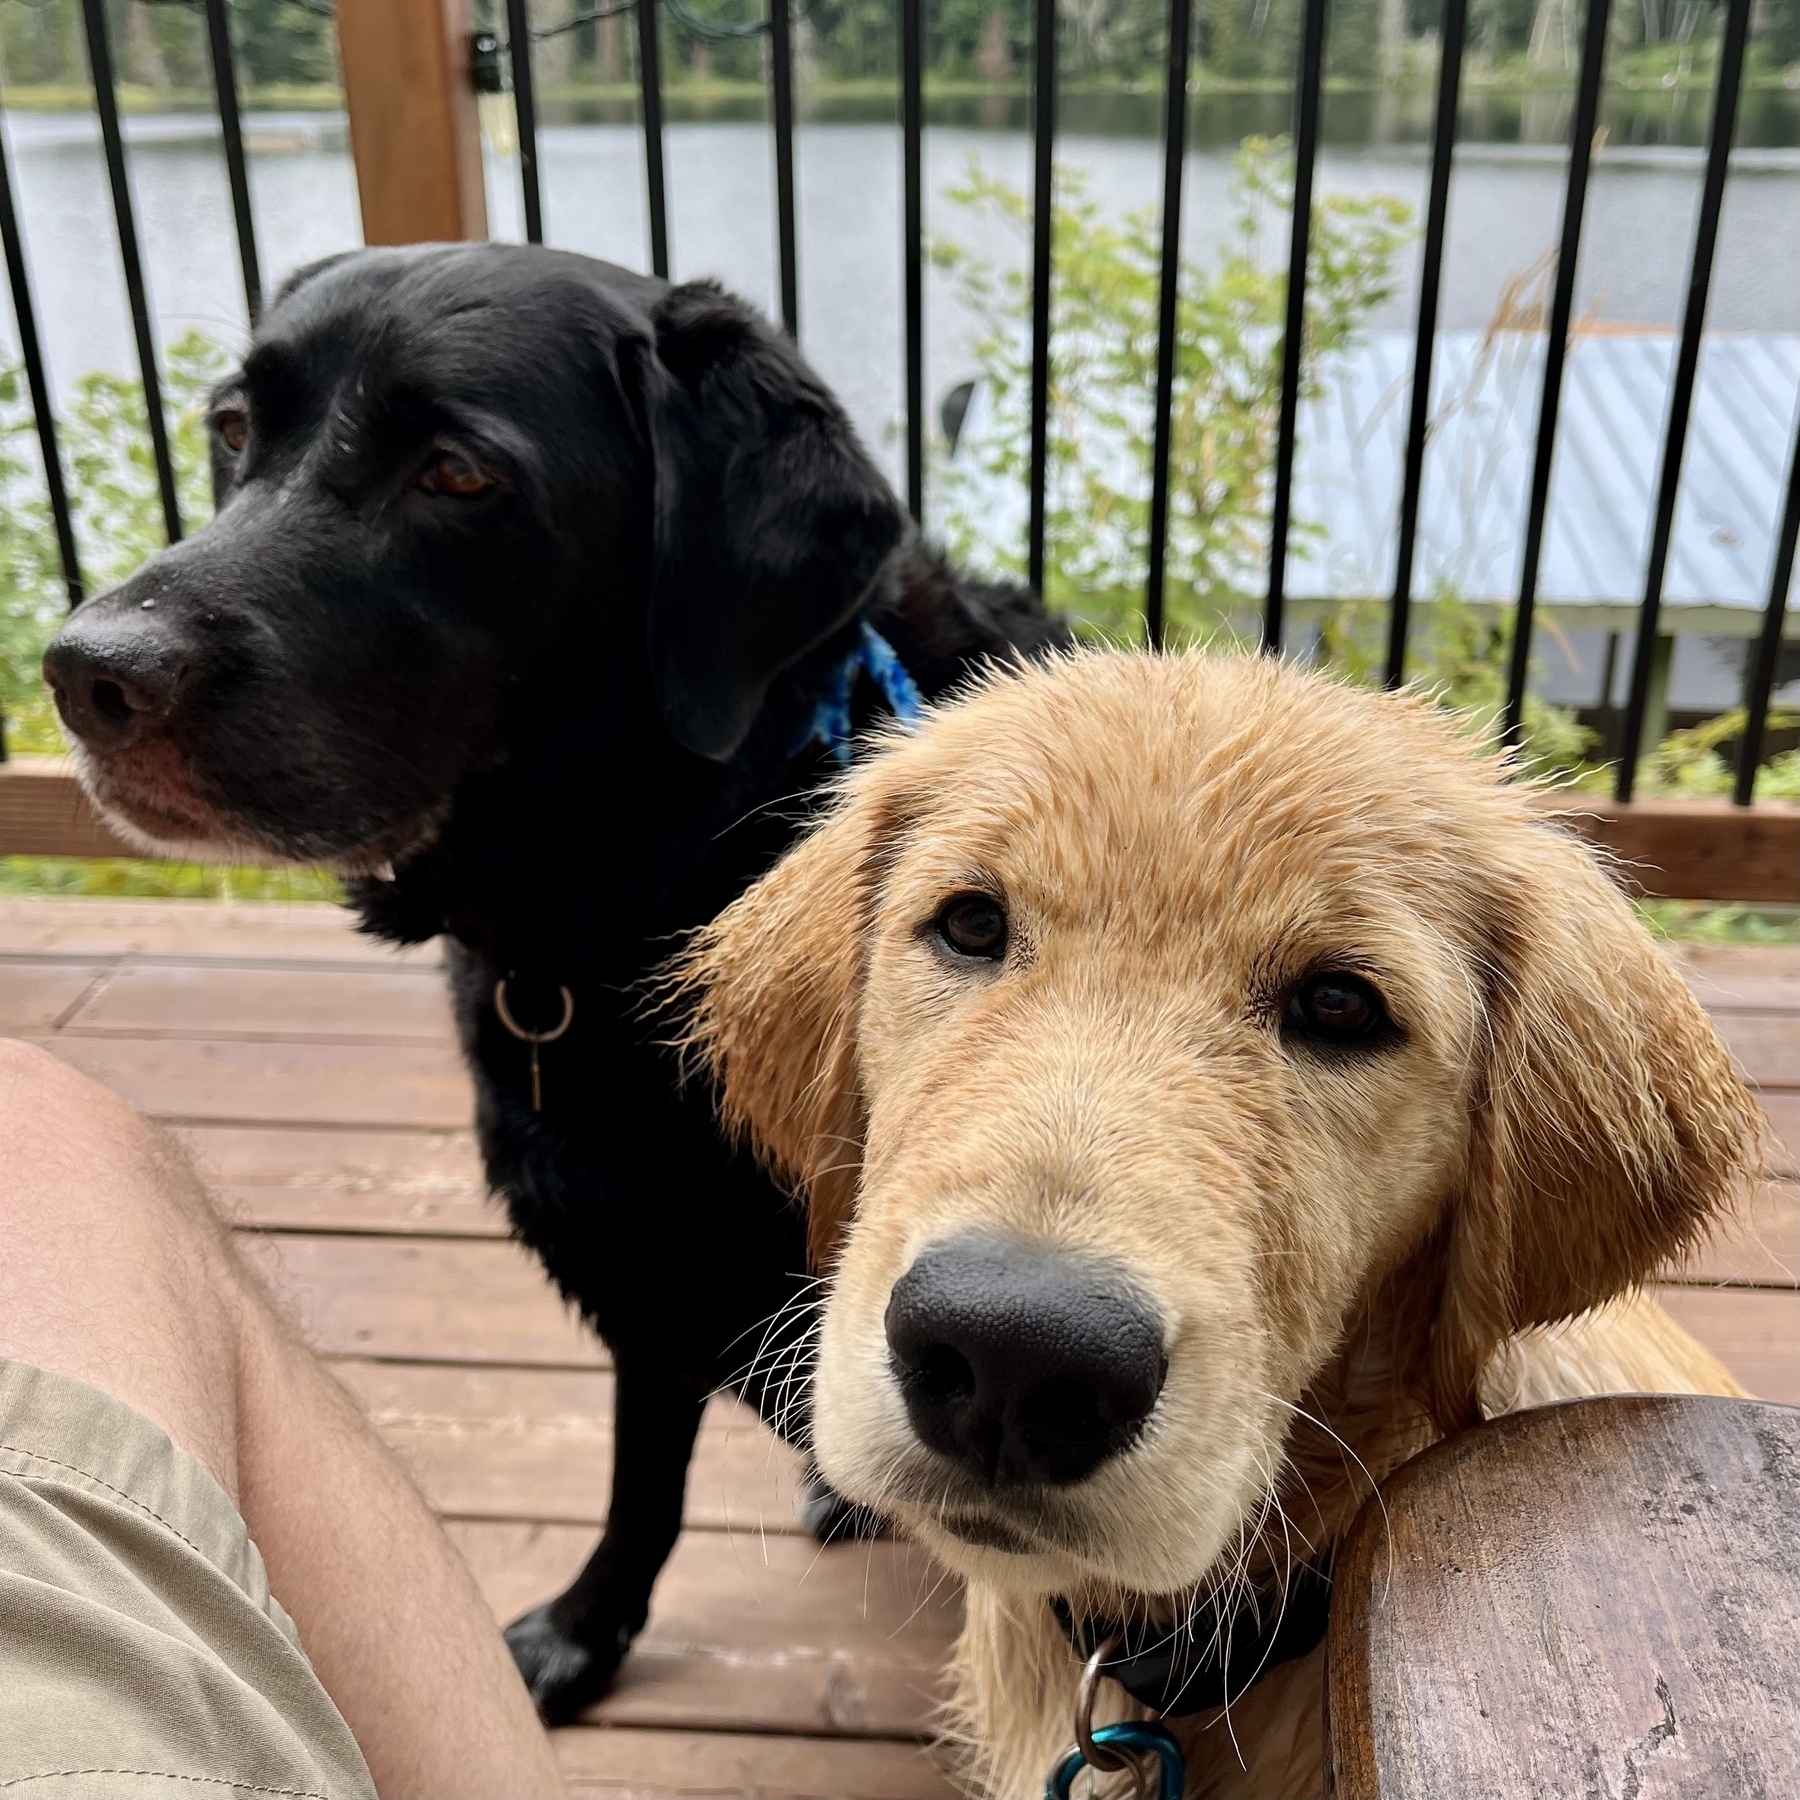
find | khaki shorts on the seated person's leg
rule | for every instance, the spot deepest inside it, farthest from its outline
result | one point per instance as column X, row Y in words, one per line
column 141, row 1651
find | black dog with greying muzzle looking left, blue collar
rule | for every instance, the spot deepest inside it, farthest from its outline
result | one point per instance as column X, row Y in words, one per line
column 526, row 604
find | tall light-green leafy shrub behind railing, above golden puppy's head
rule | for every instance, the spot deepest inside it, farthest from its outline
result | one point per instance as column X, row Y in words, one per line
column 1228, row 382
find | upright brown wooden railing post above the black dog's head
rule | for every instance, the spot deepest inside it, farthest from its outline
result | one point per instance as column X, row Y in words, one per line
column 413, row 125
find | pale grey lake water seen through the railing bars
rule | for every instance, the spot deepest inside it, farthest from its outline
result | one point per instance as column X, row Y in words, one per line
column 1504, row 215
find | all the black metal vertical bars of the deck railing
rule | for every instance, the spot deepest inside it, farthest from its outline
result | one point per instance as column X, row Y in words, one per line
column 1308, row 100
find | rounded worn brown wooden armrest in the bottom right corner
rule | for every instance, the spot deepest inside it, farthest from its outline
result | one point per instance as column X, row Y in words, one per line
column 1614, row 1572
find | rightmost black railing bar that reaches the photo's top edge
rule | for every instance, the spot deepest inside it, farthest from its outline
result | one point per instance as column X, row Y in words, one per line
column 1682, row 397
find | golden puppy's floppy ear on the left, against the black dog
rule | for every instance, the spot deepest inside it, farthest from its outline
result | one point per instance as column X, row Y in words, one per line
column 775, row 987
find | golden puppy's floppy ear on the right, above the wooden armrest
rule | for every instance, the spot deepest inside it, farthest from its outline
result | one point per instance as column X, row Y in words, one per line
column 1610, row 1126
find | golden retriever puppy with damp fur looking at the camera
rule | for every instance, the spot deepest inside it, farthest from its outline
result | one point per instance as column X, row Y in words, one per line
column 1210, row 1084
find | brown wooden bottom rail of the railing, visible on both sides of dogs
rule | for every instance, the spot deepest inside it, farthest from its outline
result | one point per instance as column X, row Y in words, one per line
column 1666, row 849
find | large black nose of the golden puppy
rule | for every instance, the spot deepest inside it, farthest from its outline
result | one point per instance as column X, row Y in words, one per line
column 1020, row 1362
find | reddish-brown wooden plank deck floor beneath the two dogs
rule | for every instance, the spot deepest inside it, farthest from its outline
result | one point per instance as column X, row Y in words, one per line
column 318, row 1083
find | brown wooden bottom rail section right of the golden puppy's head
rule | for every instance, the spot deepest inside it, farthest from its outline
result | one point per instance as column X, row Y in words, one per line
column 1693, row 849
